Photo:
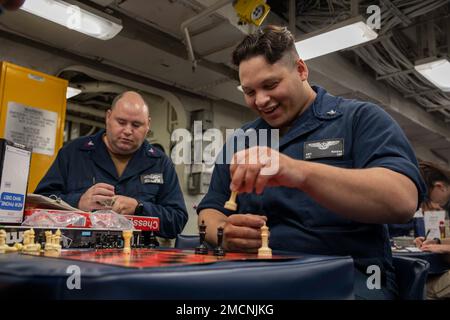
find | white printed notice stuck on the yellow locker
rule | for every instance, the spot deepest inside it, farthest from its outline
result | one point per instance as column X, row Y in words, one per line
column 32, row 127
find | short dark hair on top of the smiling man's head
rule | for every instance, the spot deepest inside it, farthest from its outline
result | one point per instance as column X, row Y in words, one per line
column 272, row 42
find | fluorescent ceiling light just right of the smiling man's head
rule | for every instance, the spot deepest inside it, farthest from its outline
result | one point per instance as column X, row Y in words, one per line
column 346, row 34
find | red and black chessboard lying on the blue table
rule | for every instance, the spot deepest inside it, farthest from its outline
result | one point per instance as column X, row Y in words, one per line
column 152, row 258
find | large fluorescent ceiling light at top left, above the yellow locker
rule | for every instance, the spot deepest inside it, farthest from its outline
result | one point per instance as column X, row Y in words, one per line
column 73, row 17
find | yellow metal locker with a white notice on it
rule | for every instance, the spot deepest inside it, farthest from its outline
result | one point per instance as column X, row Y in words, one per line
column 33, row 110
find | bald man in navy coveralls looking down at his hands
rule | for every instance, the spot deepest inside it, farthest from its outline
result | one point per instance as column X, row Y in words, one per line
column 118, row 169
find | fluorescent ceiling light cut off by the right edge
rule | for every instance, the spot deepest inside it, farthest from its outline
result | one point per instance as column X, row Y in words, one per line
column 436, row 71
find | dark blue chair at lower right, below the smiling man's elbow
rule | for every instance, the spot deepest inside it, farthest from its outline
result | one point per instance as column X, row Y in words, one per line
column 411, row 277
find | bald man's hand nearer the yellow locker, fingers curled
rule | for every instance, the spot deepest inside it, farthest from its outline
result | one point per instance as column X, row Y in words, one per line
column 96, row 197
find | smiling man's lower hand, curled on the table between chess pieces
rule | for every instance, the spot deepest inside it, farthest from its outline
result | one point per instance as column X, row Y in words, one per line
column 242, row 232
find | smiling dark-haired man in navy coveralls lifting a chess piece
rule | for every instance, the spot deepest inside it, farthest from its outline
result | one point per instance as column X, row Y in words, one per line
column 345, row 168
